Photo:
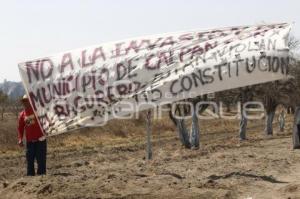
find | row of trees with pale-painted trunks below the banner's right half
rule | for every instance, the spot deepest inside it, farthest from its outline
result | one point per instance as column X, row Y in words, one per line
column 272, row 95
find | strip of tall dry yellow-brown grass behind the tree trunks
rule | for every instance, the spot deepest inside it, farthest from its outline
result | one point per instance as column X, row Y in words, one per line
column 118, row 132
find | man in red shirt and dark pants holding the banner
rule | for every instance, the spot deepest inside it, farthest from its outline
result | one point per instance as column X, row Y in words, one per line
column 36, row 145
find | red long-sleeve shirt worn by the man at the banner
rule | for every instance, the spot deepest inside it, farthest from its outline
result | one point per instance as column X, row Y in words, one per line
column 28, row 123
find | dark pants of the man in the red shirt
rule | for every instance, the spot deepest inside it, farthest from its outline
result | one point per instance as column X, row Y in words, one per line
column 36, row 150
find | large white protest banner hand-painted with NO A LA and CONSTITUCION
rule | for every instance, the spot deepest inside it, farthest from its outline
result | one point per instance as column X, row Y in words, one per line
column 87, row 87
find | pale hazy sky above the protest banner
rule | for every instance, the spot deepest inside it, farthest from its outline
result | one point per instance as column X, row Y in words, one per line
column 32, row 29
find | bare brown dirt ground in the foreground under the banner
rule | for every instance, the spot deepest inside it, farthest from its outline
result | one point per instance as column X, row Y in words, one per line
column 223, row 167
